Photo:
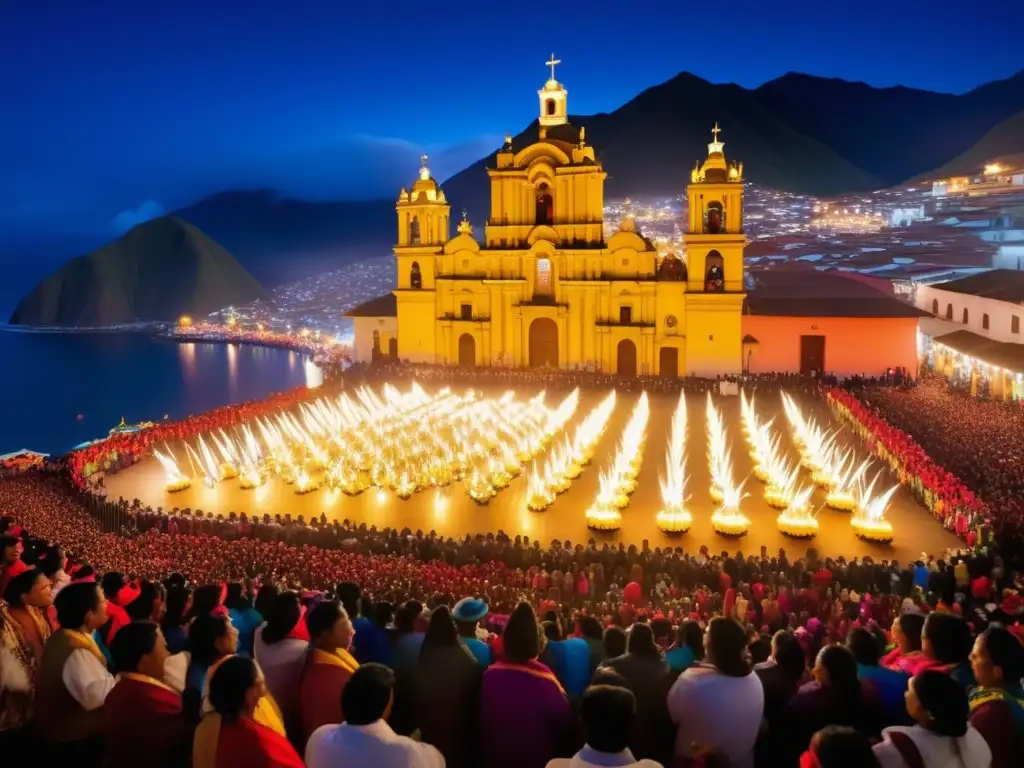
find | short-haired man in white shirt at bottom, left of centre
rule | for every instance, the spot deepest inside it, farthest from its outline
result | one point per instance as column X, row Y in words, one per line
column 366, row 739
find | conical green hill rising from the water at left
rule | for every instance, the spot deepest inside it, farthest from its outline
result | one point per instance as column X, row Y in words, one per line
column 159, row 271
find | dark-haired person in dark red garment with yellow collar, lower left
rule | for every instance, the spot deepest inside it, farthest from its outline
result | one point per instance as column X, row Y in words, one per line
column 144, row 723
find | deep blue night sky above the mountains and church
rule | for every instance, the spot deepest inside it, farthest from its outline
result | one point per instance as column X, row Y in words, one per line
column 113, row 107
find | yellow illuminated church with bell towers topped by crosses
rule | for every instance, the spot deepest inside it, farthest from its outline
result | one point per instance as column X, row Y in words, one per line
column 546, row 288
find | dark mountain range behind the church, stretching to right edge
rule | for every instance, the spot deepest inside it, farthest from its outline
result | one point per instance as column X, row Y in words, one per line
column 798, row 134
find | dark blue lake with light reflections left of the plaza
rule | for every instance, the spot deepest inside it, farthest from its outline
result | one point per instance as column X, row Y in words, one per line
column 58, row 391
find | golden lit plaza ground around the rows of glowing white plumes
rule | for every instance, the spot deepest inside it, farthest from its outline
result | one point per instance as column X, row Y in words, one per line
column 452, row 513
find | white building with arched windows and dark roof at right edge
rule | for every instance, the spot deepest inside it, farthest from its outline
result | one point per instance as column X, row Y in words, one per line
column 990, row 305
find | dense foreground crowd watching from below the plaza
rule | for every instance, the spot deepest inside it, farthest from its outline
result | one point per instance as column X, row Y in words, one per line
column 491, row 651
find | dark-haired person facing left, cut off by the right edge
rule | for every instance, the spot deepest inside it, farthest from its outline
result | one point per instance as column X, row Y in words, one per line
column 998, row 702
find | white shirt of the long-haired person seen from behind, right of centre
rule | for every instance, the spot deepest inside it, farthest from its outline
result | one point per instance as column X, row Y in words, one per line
column 718, row 711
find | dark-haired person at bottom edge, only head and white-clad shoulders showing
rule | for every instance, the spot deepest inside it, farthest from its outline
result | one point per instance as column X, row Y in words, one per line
column 609, row 715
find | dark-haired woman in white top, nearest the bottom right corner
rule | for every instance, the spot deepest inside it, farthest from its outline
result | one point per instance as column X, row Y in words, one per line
column 942, row 737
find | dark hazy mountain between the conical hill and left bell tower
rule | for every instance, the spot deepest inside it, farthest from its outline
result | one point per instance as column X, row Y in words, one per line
column 281, row 239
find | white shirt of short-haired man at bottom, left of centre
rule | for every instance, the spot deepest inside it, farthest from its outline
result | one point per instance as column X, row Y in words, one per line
column 375, row 745
